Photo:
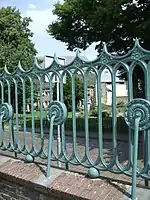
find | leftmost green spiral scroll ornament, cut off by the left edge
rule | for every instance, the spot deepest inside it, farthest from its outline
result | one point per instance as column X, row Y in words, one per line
column 6, row 112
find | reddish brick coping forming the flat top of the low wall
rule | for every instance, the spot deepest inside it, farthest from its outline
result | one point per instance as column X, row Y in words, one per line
column 62, row 184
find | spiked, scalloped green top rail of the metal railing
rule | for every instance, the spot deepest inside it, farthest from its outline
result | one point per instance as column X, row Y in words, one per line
column 105, row 57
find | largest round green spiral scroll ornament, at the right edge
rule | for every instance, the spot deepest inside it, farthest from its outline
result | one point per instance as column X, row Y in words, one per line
column 138, row 108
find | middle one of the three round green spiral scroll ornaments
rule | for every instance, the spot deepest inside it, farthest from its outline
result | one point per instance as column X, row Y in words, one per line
column 59, row 110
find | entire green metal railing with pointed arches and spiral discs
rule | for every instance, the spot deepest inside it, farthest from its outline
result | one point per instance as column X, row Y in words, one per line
column 22, row 88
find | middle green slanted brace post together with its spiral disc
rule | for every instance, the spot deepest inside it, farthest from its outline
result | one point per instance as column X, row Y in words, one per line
column 56, row 114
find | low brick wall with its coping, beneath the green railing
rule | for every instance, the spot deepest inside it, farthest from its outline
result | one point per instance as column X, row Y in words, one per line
column 22, row 181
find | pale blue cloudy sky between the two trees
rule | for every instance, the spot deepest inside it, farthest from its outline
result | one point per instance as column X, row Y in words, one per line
column 40, row 12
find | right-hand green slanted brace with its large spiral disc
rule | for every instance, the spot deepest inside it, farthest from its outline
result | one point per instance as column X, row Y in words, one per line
column 137, row 117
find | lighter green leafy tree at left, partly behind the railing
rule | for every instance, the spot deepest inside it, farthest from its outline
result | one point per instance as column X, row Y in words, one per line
column 15, row 45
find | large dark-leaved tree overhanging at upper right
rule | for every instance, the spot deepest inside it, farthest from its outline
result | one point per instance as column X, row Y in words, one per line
column 81, row 22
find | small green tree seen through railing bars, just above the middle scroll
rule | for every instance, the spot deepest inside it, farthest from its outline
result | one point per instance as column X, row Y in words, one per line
column 67, row 91
